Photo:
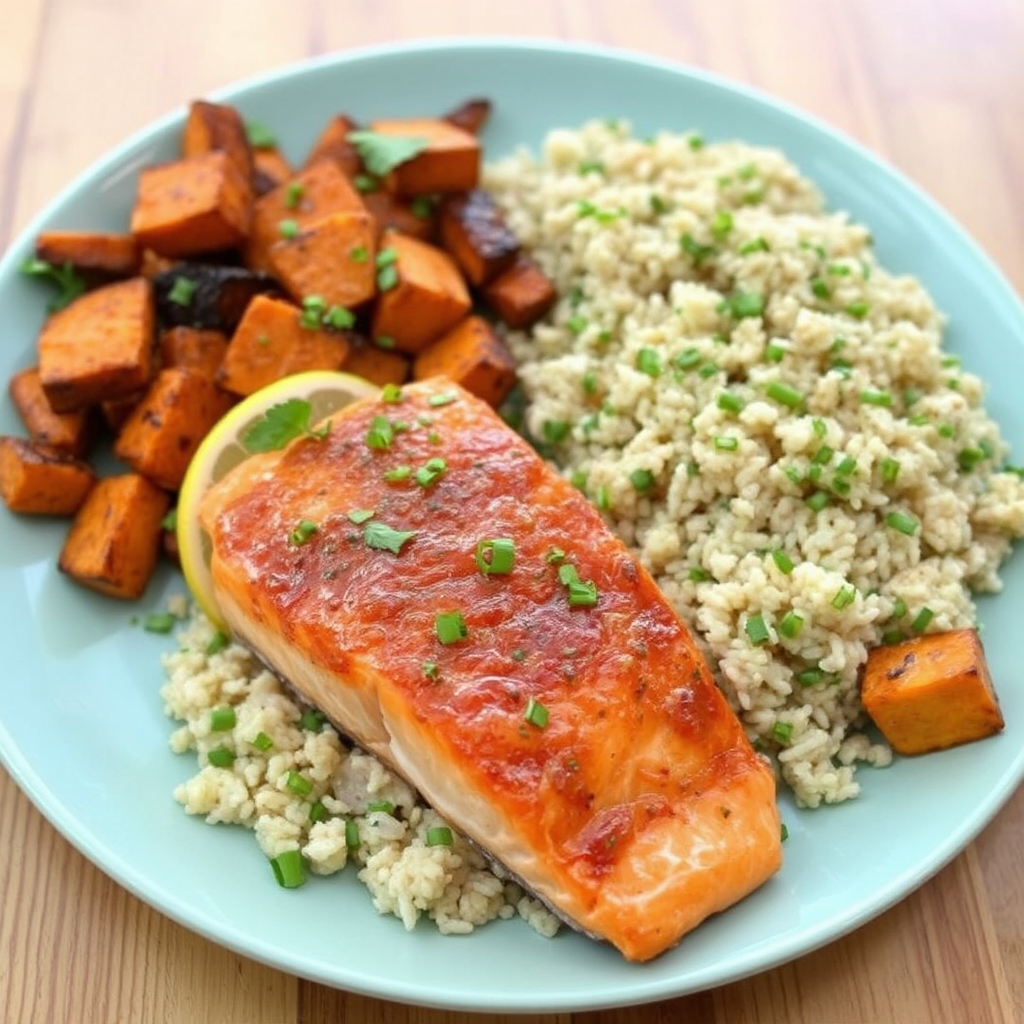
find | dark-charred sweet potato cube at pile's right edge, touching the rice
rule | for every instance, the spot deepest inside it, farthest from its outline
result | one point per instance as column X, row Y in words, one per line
column 474, row 231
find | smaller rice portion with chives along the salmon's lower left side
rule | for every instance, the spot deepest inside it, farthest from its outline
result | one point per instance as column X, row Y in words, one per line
column 452, row 885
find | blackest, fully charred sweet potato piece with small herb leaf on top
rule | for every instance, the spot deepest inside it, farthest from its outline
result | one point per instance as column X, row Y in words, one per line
column 208, row 296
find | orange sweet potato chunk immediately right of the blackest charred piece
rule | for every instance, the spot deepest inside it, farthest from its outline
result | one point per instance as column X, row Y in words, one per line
column 333, row 259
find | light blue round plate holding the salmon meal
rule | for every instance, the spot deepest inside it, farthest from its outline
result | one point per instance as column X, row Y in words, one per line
column 81, row 721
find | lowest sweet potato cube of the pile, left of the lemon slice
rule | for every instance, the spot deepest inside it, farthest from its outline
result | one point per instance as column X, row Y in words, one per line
column 114, row 542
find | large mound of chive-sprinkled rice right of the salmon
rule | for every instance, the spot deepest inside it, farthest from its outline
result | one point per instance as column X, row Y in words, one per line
column 765, row 415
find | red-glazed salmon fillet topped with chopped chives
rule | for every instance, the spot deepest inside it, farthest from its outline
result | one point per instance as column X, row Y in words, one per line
column 556, row 710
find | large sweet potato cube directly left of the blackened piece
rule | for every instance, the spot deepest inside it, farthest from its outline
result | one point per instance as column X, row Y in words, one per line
column 99, row 348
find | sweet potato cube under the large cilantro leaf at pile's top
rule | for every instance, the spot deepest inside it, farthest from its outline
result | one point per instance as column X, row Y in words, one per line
column 449, row 162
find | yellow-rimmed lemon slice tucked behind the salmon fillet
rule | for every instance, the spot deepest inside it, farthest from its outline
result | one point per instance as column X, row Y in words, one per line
column 222, row 451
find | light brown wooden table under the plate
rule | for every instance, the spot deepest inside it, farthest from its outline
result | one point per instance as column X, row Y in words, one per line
column 936, row 87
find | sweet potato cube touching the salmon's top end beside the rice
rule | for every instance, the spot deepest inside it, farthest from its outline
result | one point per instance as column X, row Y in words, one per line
column 472, row 355
